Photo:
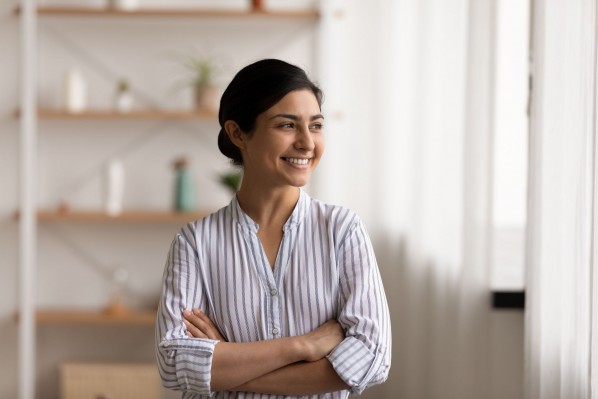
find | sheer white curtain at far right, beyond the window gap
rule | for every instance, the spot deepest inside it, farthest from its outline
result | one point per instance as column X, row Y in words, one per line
column 562, row 279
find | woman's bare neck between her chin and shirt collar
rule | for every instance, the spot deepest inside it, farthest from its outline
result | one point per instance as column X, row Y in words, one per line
column 268, row 207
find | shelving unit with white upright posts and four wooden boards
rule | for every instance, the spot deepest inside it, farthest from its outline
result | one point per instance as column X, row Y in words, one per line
column 30, row 114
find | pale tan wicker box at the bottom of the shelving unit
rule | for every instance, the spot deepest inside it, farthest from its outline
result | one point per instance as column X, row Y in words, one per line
column 109, row 381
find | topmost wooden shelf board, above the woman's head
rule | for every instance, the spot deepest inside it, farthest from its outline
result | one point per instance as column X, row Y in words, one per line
column 176, row 12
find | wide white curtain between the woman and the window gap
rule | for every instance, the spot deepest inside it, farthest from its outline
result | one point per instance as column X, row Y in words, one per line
column 423, row 162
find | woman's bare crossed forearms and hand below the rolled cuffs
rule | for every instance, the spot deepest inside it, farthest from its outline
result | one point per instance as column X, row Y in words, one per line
column 260, row 366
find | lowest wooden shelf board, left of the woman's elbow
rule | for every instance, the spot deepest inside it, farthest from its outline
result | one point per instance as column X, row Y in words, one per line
column 92, row 317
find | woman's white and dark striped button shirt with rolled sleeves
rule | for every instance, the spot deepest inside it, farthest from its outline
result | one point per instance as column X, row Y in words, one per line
column 325, row 269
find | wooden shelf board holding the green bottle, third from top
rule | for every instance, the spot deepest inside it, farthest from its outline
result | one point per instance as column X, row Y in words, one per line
column 131, row 216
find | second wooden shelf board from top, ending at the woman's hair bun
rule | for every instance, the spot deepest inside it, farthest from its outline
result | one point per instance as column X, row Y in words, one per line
column 45, row 113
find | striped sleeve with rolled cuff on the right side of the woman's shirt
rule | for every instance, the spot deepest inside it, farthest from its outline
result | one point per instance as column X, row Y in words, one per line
column 362, row 359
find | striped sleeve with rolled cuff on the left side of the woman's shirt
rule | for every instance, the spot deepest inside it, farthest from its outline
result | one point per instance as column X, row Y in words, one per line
column 184, row 363
